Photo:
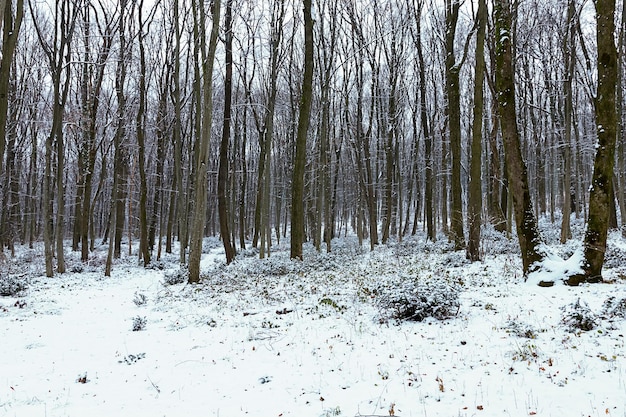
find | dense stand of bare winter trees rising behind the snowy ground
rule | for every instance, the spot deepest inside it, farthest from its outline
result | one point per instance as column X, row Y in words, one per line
column 172, row 120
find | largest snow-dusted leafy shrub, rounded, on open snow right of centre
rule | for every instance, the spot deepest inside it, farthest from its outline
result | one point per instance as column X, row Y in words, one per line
column 417, row 298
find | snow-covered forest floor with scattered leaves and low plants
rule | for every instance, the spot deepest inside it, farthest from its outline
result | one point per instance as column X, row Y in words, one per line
column 276, row 337
